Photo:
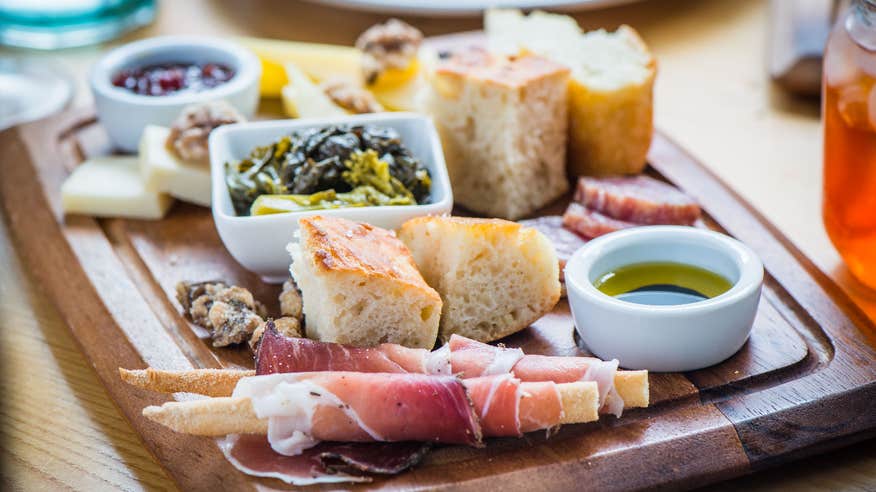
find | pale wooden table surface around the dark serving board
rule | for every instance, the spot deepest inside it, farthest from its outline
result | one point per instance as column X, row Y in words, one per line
column 60, row 429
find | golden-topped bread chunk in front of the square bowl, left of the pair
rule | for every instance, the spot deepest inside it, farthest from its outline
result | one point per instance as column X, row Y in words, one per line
column 360, row 286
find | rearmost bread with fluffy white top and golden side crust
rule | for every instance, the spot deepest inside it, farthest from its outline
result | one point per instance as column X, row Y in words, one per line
column 610, row 90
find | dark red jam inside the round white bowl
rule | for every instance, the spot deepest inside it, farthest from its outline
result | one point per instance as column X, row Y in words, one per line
column 170, row 78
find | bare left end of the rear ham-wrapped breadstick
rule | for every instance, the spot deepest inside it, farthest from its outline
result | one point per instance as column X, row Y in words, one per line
column 208, row 382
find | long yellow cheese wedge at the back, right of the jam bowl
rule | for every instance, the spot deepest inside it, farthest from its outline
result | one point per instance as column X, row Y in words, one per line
column 320, row 61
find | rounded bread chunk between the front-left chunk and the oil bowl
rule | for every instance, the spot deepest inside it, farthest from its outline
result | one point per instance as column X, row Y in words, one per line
column 495, row 277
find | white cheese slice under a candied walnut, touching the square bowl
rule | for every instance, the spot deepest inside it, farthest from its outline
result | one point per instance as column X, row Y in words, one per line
column 165, row 172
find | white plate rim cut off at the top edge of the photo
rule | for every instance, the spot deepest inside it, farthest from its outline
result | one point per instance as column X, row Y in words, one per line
column 465, row 7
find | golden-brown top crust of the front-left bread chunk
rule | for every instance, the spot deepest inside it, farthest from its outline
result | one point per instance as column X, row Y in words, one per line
column 342, row 246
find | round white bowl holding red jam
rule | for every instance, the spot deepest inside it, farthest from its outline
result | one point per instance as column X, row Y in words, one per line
column 124, row 114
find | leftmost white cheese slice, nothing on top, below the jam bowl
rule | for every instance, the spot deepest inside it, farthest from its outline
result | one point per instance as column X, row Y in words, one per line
column 112, row 187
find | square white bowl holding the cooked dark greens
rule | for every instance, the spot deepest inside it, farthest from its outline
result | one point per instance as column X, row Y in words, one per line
column 259, row 242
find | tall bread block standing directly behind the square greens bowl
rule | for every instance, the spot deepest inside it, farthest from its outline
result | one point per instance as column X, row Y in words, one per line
column 503, row 126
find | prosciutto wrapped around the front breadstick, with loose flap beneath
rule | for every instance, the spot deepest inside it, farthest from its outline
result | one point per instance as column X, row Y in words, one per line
column 303, row 408
